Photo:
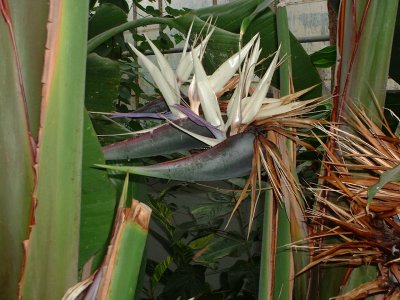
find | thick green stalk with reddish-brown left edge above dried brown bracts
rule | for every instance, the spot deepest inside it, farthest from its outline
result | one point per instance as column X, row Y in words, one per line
column 362, row 41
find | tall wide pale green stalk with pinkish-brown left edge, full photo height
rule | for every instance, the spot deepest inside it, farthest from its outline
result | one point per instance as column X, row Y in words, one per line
column 53, row 243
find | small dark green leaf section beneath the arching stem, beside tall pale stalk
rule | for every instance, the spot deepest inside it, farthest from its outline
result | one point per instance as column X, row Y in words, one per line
column 102, row 82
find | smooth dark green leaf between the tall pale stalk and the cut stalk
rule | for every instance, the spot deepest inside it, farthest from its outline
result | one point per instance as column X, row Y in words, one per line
column 98, row 199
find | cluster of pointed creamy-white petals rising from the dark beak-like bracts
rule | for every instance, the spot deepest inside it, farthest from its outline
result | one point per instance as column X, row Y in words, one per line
column 242, row 109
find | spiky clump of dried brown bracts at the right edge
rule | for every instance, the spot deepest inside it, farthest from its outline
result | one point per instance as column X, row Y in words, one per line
column 368, row 231
